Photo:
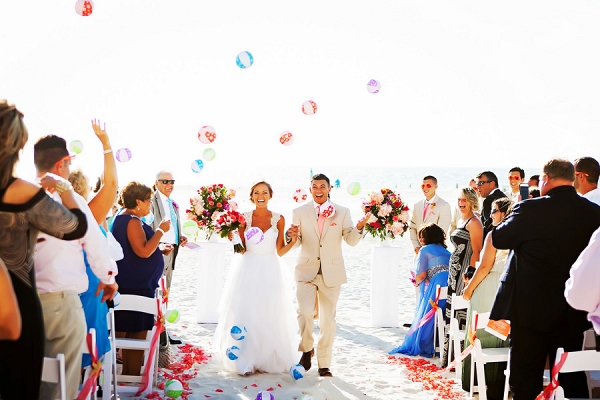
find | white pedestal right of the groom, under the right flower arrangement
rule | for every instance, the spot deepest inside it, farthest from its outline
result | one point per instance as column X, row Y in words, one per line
column 385, row 262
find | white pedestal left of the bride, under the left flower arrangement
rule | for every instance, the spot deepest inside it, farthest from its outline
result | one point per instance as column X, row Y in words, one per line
column 211, row 270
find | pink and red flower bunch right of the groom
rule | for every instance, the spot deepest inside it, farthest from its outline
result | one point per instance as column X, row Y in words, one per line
column 389, row 214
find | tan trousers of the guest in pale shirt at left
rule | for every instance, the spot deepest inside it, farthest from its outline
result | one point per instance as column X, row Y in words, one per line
column 65, row 326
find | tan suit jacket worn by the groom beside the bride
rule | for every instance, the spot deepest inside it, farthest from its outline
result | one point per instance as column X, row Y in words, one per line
column 323, row 251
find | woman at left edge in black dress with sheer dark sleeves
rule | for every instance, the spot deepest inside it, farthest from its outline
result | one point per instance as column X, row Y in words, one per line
column 26, row 209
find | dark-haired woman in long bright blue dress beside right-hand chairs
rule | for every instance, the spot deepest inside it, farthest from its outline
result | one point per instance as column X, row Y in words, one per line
column 431, row 270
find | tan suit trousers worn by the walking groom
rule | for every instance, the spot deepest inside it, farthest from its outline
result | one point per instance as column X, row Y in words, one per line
column 308, row 293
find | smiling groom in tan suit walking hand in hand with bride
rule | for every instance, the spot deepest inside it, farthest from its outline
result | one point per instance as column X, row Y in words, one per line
column 318, row 227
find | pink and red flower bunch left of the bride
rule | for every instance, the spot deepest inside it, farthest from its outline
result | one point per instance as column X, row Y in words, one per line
column 214, row 210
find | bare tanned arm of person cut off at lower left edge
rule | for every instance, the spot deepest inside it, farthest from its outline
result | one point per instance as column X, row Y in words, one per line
column 10, row 316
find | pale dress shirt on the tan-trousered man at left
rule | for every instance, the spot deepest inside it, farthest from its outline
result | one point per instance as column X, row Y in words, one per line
column 59, row 264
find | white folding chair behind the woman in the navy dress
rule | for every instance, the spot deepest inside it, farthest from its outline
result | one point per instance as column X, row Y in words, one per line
column 146, row 305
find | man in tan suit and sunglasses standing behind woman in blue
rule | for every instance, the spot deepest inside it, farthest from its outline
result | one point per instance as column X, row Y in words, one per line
column 432, row 209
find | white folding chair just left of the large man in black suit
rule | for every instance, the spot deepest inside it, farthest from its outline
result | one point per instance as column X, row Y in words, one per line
column 481, row 356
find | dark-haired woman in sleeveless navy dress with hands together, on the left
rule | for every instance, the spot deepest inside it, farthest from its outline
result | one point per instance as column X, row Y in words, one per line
column 141, row 267
